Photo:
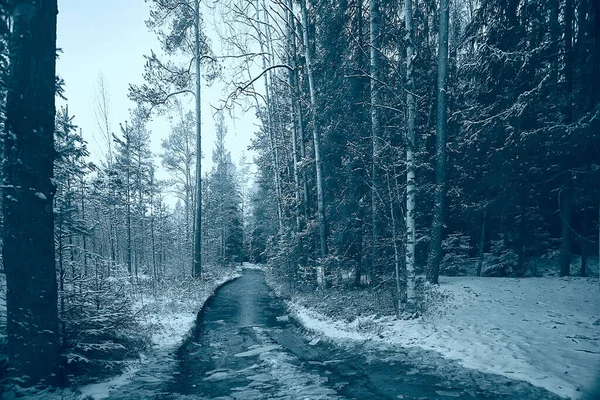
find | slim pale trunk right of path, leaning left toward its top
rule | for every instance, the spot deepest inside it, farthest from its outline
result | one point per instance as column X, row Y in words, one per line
column 316, row 140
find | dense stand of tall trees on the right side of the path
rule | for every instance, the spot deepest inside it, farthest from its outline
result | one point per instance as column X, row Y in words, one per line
column 504, row 158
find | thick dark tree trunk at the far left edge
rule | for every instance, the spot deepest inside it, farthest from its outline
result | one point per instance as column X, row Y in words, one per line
column 28, row 252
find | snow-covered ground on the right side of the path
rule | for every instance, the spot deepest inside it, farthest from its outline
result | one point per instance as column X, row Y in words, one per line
column 541, row 330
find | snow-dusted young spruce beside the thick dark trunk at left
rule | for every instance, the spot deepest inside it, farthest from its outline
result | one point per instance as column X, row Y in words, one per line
column 100, row 325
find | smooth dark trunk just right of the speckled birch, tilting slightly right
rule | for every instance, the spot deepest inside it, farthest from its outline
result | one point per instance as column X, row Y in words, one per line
column 437, row 225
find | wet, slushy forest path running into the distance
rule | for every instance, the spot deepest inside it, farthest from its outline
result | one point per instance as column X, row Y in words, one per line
column 244, row 346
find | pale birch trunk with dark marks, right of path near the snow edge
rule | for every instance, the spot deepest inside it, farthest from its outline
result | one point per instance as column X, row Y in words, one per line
column 410, row 160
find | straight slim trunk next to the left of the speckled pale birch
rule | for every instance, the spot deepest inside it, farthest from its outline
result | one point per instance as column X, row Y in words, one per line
column 375, row 19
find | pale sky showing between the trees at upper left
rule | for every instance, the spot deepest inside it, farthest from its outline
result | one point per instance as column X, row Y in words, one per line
column 109, row 37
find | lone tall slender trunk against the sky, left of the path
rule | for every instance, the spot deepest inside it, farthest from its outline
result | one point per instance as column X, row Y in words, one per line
column 198, row 216
